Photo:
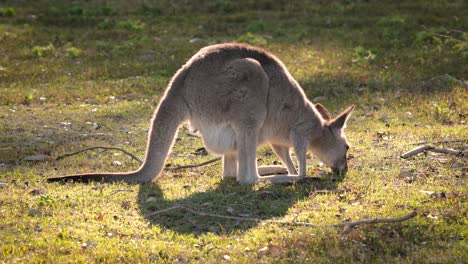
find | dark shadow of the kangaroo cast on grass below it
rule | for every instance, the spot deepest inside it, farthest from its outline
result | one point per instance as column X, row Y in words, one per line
column 226, row 198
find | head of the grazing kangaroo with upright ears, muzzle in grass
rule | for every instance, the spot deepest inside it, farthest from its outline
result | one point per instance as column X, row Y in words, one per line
column 332, row 147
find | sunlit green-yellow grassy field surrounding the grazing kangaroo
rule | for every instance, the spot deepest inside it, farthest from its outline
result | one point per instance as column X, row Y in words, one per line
column 76, row 74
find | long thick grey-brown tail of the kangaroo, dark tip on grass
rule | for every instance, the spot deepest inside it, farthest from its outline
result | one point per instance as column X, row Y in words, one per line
column 171, row 112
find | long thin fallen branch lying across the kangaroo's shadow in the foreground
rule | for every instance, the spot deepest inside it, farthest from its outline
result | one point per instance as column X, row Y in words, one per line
column 252, row 219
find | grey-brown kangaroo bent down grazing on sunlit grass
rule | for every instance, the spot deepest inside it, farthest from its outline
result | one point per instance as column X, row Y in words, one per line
column 239, row 97
